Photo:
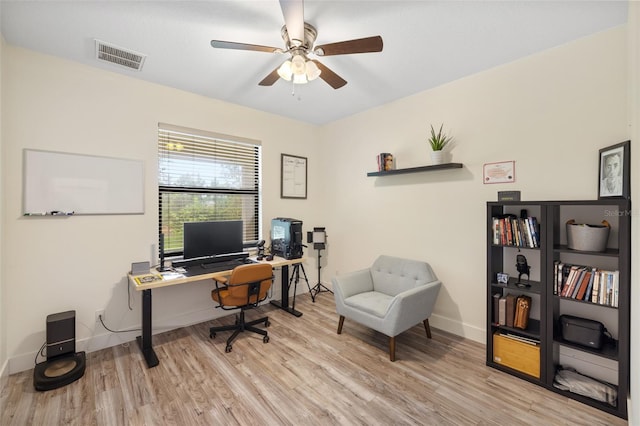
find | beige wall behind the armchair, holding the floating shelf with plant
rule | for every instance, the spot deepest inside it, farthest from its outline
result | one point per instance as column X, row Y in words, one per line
column 550, row 112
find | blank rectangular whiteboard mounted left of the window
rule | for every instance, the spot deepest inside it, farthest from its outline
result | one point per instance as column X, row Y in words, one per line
column 81, row 184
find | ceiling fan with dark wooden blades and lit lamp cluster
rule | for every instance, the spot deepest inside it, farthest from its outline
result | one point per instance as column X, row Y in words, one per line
column 299, row 37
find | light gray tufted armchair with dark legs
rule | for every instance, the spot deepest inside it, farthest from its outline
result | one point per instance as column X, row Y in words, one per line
column 390, row 297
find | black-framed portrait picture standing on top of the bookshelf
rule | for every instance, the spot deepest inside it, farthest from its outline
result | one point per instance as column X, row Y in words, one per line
column 614, row 171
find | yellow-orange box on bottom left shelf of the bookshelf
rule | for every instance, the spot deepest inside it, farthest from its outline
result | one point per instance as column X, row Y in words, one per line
column 520, row 356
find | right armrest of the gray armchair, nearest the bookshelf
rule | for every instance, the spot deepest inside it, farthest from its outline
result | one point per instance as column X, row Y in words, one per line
column 413, row 306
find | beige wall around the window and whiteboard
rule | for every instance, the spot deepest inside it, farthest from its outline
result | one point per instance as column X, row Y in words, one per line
column 80, row 262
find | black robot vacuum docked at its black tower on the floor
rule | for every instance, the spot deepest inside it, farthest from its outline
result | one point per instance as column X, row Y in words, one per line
column 63, row 365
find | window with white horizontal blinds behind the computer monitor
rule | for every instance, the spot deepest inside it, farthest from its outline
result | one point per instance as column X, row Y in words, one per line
column 205, row 176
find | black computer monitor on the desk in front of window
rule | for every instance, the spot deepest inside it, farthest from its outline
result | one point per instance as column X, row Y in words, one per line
column 209, row 239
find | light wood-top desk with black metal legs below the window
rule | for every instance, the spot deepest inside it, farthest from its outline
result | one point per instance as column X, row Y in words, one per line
column 144, row 340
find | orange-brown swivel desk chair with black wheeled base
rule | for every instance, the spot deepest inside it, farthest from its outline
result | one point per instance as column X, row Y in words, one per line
column 245, row 288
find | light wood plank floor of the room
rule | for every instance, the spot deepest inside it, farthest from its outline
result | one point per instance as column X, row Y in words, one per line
column 306, row 375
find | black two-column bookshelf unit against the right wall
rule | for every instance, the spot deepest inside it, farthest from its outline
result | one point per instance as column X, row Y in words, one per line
column 554, row 351
